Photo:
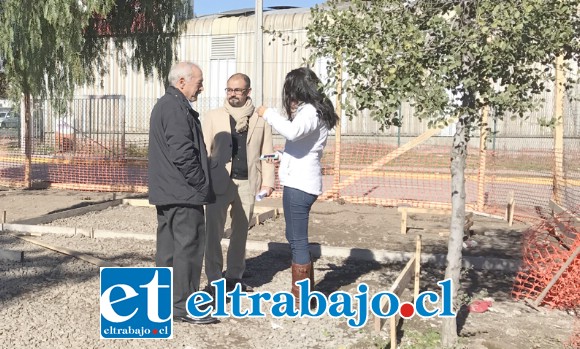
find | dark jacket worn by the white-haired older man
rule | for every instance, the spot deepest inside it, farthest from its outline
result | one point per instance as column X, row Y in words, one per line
column 178, row 163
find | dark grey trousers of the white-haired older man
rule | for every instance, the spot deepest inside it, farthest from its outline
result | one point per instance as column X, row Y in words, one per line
column 181, row 244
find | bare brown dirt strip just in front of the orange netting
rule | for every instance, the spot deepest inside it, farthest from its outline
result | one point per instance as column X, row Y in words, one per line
column 331, row 223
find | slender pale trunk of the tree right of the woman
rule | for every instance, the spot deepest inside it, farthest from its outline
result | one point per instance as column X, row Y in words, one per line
column 455, row 244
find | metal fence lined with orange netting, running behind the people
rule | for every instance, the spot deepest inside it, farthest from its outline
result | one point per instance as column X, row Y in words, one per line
column 100, row 143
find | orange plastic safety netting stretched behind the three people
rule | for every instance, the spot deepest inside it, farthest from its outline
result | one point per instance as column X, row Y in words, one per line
column 370, row 170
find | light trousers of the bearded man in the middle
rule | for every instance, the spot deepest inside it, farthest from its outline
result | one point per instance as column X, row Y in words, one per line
column 241, row 200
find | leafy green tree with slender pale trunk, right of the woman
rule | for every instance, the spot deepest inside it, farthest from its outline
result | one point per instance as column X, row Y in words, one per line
column 450, row 59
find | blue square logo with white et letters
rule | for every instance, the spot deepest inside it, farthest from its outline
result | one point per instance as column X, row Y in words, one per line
column 136, row 303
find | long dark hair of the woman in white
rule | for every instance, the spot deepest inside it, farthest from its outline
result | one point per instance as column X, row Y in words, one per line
column 303, row 86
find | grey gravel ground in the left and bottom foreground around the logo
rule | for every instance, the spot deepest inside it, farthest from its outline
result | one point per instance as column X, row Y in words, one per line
column 51, row 301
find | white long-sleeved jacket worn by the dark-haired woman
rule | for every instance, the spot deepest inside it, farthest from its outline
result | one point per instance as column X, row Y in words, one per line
column 305, row 139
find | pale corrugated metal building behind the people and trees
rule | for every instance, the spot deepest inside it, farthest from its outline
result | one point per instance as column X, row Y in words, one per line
column 225, row 43
